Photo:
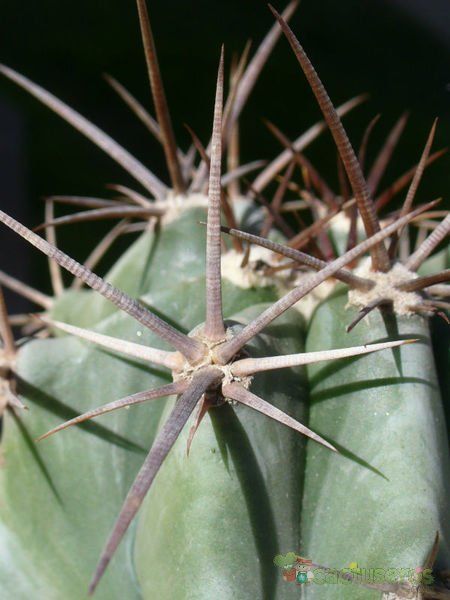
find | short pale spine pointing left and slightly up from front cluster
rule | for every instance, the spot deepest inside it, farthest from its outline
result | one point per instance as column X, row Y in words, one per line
column 170, row 360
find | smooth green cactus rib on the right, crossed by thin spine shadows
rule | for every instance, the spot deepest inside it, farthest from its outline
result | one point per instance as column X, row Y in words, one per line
column 380, row 501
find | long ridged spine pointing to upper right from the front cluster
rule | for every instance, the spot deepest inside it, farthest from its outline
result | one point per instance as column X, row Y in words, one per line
column 231, row 347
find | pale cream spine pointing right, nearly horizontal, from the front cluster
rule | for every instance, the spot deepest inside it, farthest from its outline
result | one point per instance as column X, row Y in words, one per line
column 249, row 366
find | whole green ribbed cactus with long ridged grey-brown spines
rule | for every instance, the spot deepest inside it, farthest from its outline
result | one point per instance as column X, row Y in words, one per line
column 199, row 483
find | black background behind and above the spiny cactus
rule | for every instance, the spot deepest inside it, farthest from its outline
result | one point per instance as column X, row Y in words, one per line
column 396, row 50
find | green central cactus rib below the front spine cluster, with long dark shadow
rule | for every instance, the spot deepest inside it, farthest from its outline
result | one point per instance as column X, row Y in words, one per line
column 215, row 520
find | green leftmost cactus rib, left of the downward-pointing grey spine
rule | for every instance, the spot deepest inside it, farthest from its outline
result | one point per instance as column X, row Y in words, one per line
column 53, row 522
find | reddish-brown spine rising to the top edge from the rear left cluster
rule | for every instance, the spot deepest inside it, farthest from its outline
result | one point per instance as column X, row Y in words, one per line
column 159, row 100
